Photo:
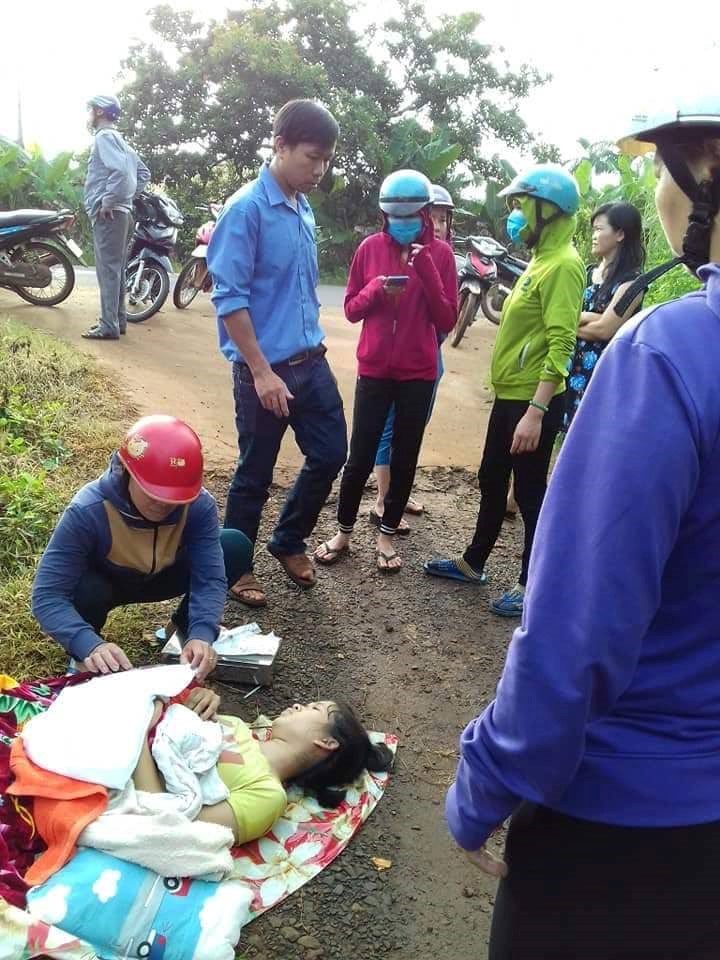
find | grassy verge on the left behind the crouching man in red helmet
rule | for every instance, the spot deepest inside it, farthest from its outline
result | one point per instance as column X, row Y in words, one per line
column 60, row 419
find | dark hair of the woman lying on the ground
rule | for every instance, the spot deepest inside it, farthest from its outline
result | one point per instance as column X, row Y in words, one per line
column 330, row 777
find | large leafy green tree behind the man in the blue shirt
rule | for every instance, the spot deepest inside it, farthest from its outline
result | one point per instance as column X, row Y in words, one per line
column 201, row 96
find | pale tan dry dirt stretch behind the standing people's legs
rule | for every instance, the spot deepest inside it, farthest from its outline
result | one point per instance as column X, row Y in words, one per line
column 171, row 364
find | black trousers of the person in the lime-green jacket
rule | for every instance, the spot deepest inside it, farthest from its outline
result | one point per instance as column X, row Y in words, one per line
column 529, row 471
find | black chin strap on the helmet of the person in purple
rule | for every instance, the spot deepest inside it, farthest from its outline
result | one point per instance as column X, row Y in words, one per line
column 705, row 200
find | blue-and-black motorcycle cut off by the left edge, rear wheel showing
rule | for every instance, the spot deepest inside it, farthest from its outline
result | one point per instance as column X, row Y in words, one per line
column 35, row 255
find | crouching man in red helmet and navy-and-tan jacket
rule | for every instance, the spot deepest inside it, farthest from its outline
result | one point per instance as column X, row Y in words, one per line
column 145, row 531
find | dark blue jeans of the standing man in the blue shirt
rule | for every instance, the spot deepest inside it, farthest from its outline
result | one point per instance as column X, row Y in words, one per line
column 318, row 422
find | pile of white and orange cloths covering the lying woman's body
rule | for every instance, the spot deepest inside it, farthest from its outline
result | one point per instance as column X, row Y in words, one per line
column 156, row 831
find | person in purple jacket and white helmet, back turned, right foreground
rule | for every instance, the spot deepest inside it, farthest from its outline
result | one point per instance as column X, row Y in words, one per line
column 604, row 737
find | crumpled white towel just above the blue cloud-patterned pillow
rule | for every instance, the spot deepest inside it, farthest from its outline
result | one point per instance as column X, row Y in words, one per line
column 145, row 828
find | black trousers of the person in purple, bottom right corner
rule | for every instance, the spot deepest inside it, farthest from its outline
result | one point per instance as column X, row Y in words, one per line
column 591, row 891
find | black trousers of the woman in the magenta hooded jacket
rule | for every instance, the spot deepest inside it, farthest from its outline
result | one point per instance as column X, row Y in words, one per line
column 373, row 400
